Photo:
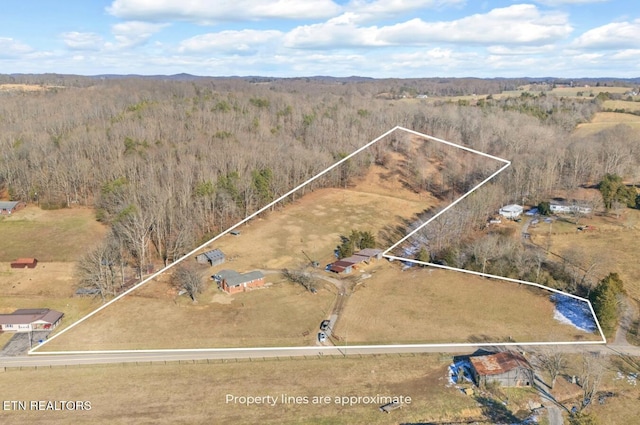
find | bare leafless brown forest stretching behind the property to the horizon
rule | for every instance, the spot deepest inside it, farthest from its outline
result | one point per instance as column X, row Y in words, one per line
column 169, row 162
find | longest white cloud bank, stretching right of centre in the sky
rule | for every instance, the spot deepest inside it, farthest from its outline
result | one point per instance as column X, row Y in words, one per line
column 517, row 24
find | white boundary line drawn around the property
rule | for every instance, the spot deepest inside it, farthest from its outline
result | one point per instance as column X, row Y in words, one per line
column 338, row 163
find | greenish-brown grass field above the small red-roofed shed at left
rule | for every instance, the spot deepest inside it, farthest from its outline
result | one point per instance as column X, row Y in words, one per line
column 56, row 235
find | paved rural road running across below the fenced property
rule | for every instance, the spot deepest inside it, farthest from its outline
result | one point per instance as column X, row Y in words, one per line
column 63, row 359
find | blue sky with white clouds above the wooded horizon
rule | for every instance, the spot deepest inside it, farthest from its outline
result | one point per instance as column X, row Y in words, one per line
column 294, row 38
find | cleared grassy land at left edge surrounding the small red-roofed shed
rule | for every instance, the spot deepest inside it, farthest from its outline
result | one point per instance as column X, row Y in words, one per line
column 56, row 238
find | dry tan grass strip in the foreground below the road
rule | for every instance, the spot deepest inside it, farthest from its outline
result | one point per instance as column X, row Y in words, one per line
column 196, row 393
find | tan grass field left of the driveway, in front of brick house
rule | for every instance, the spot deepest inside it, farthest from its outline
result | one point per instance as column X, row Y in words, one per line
column 282, row 314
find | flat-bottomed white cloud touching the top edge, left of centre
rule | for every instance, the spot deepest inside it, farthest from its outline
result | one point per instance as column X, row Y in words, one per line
column 206, row 11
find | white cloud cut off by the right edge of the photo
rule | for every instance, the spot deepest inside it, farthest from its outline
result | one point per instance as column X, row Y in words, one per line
column 616, row 35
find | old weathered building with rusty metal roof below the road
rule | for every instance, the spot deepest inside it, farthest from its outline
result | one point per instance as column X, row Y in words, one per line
column 506, row 368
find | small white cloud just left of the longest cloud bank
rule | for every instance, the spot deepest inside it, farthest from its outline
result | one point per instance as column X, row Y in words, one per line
column 231, row 42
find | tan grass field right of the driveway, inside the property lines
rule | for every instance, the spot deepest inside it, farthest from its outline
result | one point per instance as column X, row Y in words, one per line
column 424, row 305
